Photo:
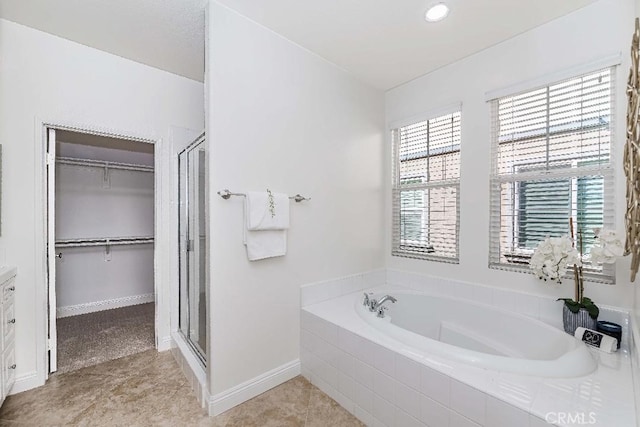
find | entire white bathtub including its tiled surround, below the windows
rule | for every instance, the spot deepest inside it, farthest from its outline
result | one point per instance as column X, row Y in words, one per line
column 457, row 362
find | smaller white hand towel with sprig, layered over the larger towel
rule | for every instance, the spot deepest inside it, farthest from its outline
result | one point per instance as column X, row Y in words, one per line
column 265, row 214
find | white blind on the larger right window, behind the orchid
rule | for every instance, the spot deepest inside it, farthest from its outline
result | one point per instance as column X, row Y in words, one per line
column 551, row 161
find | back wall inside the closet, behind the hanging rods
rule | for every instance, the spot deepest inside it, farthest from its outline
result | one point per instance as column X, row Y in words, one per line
column 88, row 278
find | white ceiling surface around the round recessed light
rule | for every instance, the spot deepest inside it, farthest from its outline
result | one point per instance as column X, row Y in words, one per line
column 382, row 42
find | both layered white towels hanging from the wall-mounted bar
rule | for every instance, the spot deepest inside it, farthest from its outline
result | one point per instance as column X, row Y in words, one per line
column 266, row 224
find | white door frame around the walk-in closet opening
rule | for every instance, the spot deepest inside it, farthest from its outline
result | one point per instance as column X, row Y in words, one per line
column 41, row 237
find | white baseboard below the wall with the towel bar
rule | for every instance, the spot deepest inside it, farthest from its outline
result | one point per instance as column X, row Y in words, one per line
column 226, row 400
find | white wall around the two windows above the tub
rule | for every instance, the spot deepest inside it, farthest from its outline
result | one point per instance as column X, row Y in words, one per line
column 596, row 31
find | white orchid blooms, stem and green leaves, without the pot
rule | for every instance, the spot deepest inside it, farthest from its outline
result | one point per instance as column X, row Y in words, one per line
column 554, row 255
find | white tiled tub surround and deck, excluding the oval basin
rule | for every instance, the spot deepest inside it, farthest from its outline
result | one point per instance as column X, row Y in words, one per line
column 387, row 383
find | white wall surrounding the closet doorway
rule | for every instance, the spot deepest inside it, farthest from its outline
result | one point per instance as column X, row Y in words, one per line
column 43, row 77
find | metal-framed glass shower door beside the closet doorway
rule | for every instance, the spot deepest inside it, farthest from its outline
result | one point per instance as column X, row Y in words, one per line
column 193, row 247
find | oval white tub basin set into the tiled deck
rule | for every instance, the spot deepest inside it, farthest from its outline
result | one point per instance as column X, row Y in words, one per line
column 480, row 335
